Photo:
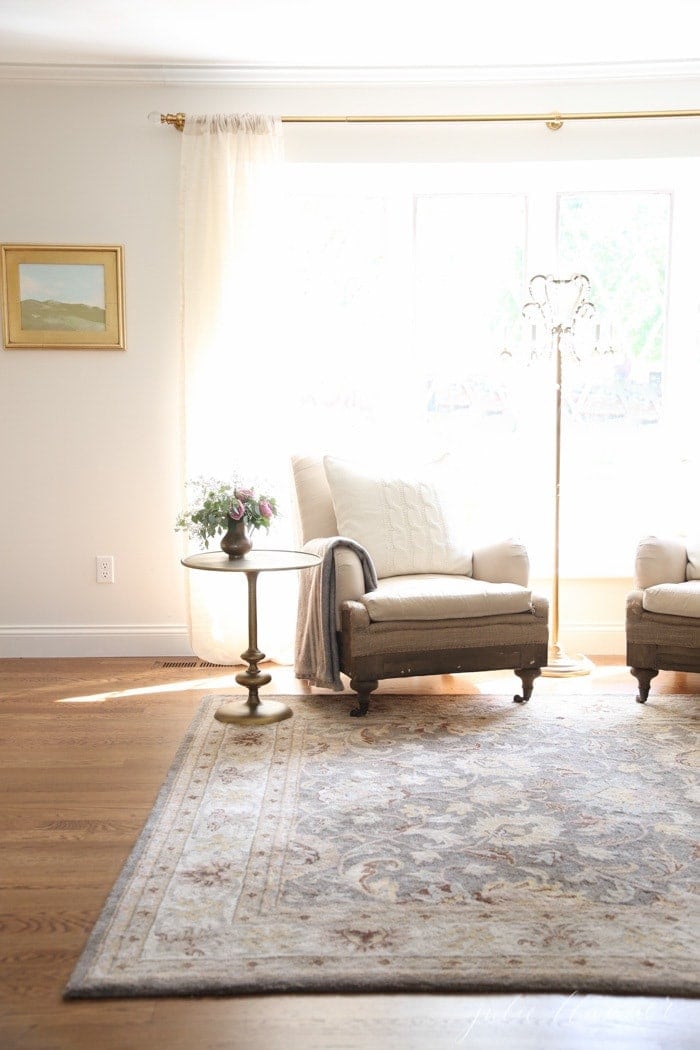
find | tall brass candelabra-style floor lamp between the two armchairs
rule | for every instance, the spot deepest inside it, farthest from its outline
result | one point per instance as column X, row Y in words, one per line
column 562, row 307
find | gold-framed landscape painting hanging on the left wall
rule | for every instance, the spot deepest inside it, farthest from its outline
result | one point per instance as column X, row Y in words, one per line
column 62, row 297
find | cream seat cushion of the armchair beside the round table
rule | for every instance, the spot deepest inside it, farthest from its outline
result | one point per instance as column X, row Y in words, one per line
column 432, row 597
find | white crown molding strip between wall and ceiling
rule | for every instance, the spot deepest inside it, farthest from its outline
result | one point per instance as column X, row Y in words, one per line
column 261, row 75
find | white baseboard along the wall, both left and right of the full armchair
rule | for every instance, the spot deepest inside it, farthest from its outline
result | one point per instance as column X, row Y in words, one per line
column 155, row 640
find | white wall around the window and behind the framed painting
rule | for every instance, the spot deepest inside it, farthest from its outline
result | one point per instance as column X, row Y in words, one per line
column 91, row 443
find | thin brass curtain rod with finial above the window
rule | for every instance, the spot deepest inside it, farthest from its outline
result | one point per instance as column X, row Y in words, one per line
column 553, row 121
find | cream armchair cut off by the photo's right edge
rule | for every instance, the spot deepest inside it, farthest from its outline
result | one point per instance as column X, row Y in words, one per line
column 663, row 619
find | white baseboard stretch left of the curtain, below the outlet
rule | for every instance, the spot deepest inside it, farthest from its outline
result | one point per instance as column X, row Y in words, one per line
column 82, row 640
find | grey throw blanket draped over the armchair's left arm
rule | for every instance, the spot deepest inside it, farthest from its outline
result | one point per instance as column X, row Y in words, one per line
column 317, row 657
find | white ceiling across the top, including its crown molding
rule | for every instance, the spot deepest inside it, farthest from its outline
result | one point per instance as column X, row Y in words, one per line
column 447, row 37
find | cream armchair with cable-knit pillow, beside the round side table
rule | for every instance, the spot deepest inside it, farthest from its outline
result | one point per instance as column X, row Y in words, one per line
column 406, row 600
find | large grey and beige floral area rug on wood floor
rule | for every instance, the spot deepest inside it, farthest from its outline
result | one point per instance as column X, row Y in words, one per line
column 460, row 844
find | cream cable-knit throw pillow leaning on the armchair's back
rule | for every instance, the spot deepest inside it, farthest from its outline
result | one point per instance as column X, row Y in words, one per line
column 401, row 521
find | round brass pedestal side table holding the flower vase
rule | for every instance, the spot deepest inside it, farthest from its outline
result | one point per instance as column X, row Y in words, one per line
column 252, row 711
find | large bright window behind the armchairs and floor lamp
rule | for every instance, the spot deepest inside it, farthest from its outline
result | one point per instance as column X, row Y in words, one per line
column 404, row 319
